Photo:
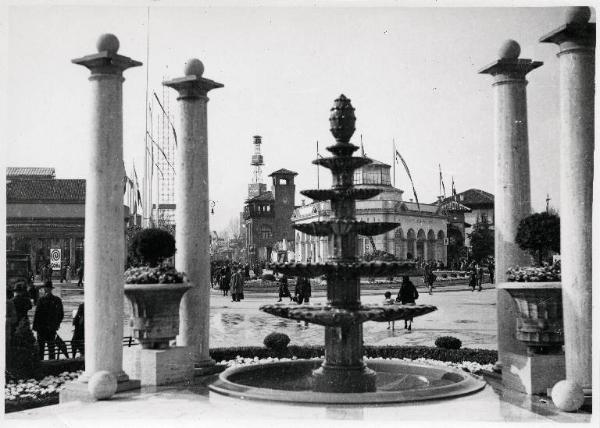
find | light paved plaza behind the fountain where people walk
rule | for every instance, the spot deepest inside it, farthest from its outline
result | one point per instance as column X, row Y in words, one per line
column 469, row 316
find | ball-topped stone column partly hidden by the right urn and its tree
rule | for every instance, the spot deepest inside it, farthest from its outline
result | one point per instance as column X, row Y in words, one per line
column 512, row 192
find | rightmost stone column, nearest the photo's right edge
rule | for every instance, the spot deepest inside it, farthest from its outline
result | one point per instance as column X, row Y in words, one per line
column 576, row 40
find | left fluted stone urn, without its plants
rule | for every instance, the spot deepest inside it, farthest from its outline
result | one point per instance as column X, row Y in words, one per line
column 155, row 316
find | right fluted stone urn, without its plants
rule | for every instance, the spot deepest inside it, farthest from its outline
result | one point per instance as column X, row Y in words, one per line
column 539, row 315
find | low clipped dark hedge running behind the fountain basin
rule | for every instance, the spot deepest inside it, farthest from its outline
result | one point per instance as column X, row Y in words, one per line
column 481, row 356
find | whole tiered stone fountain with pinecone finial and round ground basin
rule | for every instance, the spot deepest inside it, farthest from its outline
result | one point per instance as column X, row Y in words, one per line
column 343, row 377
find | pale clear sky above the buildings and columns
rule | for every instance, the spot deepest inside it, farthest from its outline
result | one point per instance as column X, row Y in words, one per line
column 411, row 73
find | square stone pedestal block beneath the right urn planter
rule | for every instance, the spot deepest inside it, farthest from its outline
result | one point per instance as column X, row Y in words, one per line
column 532, row 374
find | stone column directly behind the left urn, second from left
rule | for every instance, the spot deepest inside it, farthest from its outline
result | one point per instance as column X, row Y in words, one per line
column 192, row 212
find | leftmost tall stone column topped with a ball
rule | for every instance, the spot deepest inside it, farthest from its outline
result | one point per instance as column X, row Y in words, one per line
column 104, row 243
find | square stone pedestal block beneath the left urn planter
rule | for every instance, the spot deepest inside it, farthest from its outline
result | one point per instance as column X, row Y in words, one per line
column 158, row 366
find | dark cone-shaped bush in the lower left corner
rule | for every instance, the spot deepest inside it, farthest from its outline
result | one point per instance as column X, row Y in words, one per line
column 22, row 357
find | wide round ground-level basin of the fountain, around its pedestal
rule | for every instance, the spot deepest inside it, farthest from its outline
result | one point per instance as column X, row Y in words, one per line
column 397, row 382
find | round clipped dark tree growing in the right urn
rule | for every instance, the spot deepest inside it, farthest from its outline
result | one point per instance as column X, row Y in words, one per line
column 538, row 234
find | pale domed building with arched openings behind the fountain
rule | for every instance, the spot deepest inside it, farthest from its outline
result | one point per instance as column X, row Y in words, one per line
column 421, row 233
